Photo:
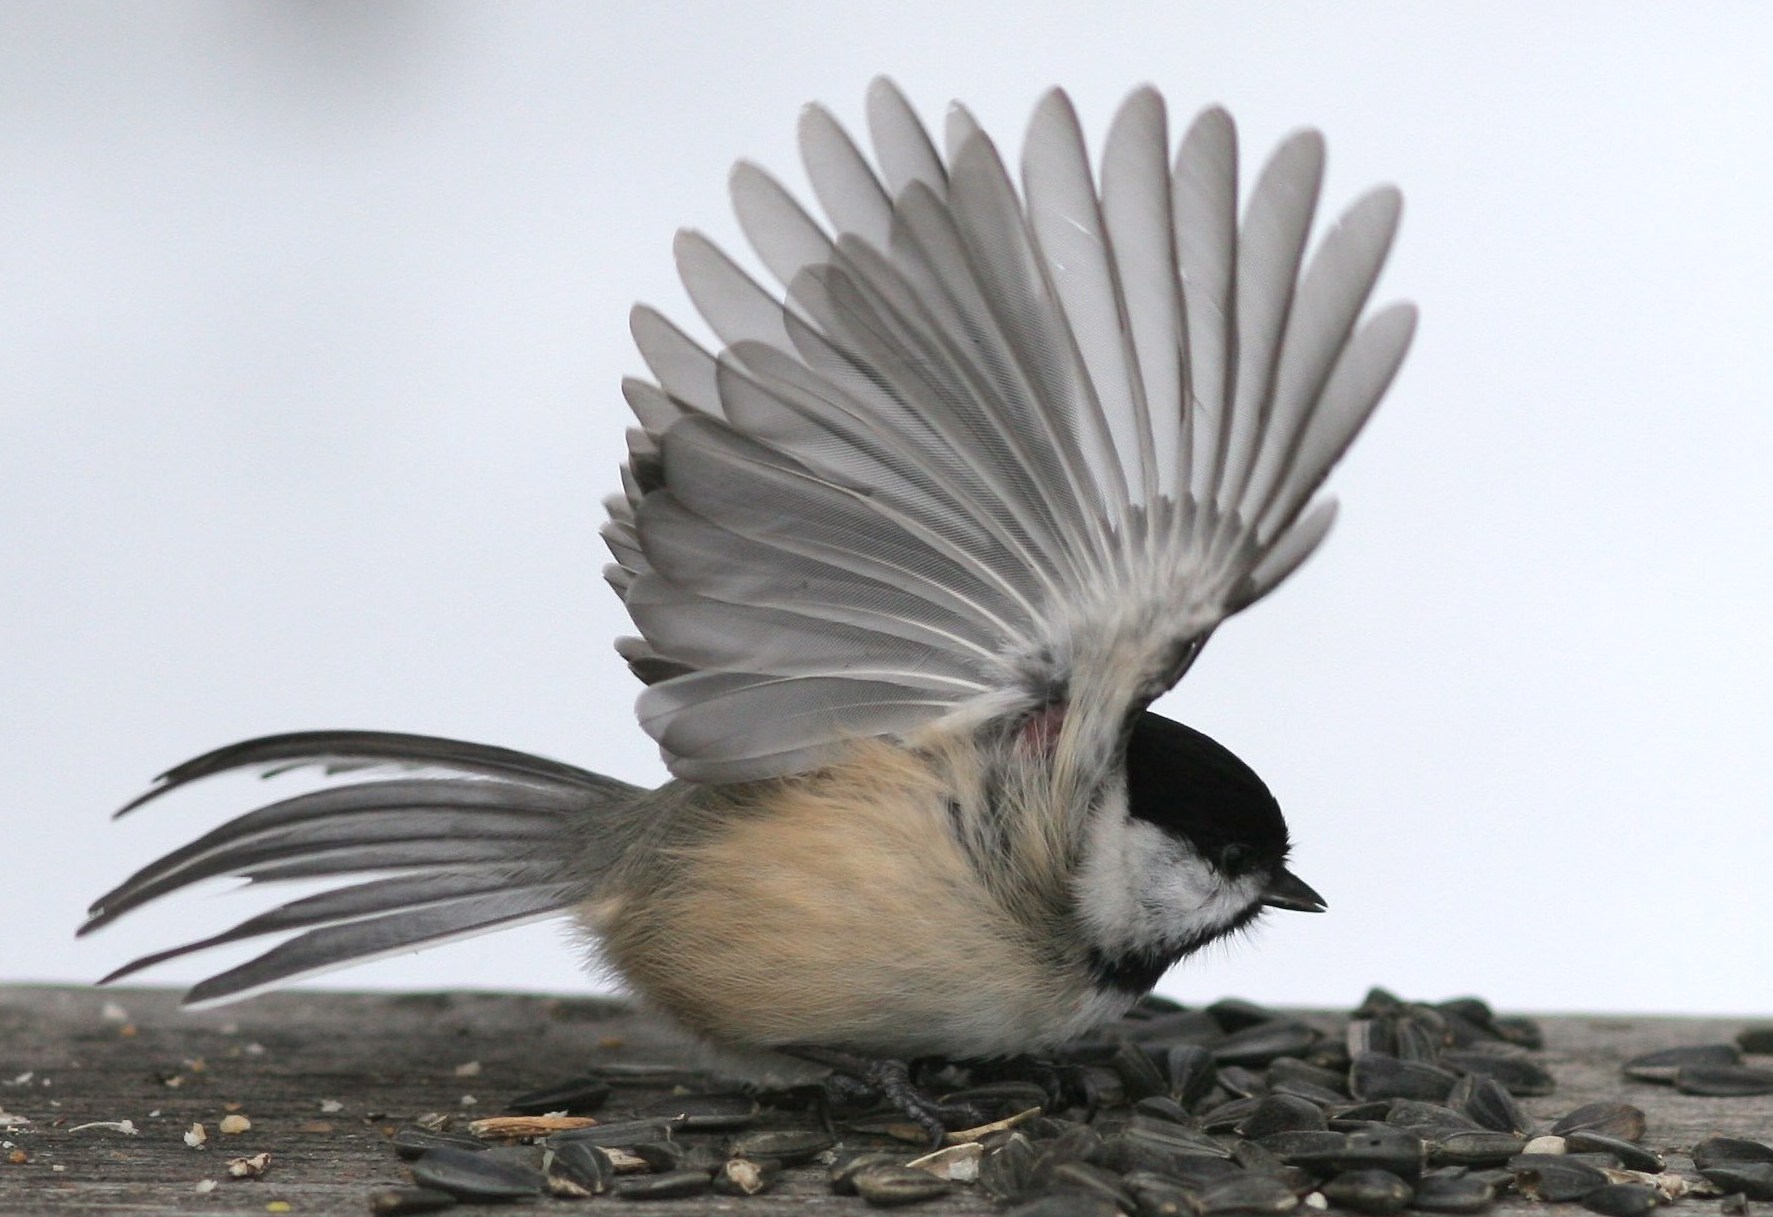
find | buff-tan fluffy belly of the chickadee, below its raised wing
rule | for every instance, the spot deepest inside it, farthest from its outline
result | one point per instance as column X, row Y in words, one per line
column 863, row 929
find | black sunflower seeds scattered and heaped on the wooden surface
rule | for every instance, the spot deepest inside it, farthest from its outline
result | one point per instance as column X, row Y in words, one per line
column 1176, row 1113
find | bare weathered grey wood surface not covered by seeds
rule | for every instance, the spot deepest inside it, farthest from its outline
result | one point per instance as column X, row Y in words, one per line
column 285, row 1060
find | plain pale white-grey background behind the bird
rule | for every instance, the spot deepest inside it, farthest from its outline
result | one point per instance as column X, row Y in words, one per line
column 313, row 320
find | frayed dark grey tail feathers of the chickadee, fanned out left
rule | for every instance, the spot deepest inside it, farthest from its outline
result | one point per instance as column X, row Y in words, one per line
column 488, row 838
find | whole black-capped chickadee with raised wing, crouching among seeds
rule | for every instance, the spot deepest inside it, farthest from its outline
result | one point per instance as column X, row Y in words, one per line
column 910, row 553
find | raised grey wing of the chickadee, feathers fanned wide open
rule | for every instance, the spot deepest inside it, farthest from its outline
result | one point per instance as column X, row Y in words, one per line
column 996, row 450
